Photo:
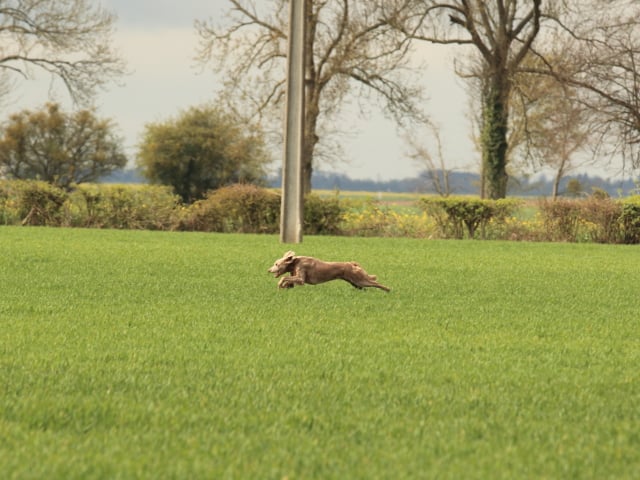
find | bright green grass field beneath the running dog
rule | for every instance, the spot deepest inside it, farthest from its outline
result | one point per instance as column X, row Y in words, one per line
column 172, row 355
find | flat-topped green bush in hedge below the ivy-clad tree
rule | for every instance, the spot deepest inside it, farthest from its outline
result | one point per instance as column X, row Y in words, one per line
column 455, row 216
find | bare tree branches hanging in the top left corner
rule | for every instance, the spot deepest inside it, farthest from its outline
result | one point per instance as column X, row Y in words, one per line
column 70, row 40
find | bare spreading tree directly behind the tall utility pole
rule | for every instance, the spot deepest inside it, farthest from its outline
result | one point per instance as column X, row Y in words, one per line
column 350, row 49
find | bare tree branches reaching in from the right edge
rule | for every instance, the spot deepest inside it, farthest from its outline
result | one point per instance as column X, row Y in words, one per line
column 599, row 43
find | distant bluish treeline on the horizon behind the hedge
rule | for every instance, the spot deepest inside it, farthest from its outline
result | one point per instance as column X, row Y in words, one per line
column 461, row 183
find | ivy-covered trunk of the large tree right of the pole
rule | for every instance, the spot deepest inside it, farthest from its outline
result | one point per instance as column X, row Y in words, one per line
column 494, row 140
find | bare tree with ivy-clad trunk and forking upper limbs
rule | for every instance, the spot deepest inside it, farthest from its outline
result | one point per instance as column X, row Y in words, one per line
column 502, row 33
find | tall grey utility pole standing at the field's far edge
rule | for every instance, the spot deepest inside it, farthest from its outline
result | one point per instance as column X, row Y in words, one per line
column 291, row 217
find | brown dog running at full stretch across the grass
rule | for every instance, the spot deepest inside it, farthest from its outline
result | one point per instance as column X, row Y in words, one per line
column 313, row 271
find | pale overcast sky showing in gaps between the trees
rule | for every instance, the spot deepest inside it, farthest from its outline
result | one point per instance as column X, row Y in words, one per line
column 158, row 41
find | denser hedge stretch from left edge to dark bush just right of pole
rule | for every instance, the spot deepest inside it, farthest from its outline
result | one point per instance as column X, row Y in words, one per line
column 236, row 208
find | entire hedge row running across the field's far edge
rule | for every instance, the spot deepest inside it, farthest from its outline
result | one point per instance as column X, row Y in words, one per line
column 250, row 209
